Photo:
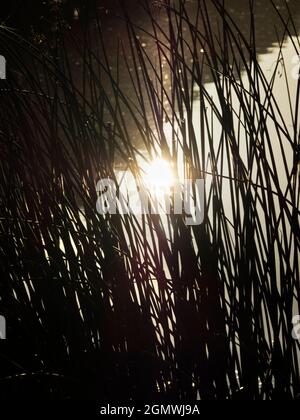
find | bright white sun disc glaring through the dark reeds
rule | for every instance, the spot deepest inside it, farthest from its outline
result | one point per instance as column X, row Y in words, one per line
column 158, row 174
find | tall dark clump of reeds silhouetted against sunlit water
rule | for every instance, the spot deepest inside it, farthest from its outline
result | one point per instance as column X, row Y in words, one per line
column 119, row 307
